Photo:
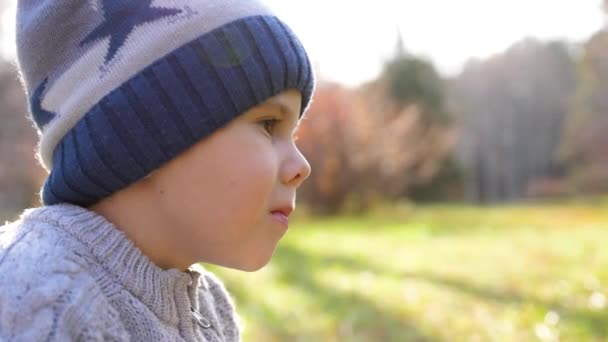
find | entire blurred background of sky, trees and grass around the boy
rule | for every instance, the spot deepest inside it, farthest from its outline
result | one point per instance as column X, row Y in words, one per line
column 460, row 174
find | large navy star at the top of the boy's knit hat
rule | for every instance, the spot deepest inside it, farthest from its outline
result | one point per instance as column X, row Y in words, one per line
column 121, row 18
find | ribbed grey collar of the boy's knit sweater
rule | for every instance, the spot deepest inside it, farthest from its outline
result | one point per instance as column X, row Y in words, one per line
column 165, row 292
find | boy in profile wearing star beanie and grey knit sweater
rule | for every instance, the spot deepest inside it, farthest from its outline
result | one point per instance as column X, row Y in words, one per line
column 168, row 130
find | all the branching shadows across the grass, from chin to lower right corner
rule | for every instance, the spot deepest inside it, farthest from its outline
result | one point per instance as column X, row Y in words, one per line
column 370, row 322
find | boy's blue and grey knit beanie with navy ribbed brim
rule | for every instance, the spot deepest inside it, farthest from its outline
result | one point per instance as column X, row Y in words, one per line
column 119, row 87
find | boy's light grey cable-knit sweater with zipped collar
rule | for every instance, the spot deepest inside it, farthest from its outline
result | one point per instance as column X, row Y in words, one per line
column 68, row 274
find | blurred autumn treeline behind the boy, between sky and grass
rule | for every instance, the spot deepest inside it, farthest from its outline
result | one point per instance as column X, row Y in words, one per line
column 531, row 122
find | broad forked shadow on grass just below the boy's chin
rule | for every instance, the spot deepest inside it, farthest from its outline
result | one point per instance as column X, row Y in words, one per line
column 357, row 318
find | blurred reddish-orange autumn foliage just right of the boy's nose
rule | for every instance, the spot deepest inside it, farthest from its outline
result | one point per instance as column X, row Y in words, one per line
column 363, row 147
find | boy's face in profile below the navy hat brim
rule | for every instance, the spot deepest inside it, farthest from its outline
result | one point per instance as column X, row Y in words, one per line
column 216, row 200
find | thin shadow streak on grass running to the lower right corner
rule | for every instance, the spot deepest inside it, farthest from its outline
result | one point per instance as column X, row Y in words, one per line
column 594, row 322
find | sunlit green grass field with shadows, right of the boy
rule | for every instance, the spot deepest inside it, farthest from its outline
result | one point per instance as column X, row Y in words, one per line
column 434, row 273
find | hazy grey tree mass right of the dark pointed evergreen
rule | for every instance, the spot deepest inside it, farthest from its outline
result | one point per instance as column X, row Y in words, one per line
column 511, row 108
